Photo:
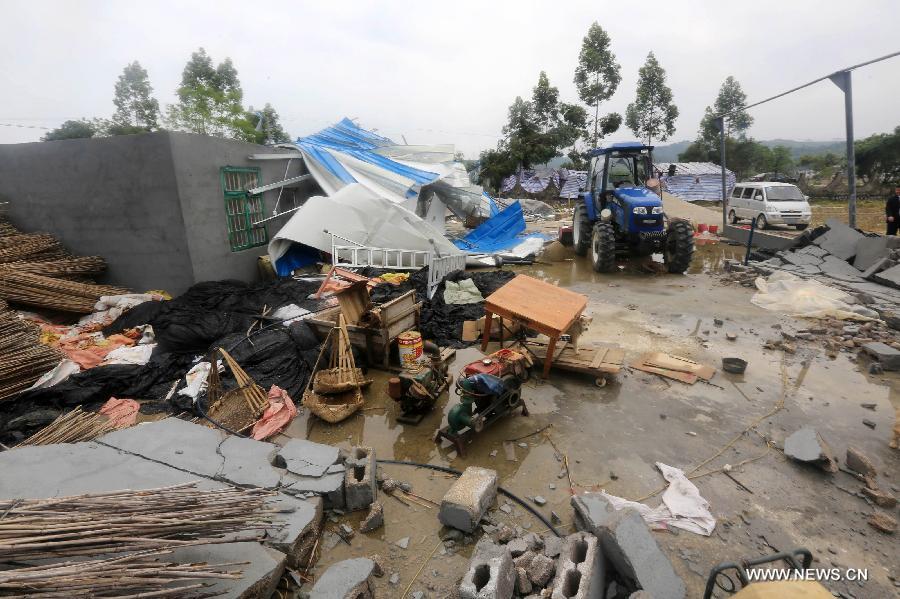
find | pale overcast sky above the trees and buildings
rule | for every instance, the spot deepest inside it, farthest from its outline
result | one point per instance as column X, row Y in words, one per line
column 445, row 72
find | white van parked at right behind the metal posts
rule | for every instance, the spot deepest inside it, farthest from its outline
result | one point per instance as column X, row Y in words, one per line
column 769, row 203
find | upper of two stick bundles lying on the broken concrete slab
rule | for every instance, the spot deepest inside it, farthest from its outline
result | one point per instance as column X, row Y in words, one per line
column 118, row 521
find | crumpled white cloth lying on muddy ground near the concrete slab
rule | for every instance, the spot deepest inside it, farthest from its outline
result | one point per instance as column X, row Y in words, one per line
column 682, row 505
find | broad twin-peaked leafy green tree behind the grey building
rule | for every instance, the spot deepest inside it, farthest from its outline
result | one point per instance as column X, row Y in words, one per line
column 209, row 99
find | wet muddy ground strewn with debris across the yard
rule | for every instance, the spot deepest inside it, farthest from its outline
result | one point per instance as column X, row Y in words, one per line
column 614, row 435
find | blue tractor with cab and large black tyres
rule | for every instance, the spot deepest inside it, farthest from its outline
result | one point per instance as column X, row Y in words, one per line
column 618, row 215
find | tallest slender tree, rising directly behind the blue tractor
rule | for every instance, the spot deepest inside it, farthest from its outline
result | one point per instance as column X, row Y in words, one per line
column 597, row 77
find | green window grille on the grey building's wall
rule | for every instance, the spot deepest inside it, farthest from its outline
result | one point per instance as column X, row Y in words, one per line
column 243, row 209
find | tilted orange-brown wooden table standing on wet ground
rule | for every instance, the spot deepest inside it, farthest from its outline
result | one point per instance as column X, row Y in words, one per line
column 541, row 306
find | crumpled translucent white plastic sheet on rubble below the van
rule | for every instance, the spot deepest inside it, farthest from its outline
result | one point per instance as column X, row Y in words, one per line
column 784, row 292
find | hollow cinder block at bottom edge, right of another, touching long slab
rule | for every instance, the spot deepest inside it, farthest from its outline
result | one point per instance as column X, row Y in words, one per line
column 579, row 571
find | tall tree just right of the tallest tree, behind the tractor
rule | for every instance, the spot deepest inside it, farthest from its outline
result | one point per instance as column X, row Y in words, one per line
column 652, row 115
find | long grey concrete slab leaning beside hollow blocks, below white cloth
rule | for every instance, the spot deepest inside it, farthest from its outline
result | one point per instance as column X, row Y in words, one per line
column 628, row 546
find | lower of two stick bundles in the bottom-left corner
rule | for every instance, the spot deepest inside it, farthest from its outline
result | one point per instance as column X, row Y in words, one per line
column 134, row 575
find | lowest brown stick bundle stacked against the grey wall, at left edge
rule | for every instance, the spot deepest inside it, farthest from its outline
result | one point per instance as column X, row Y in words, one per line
column 56, row 294
